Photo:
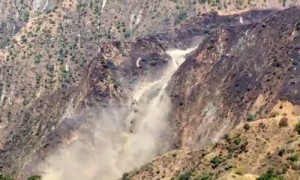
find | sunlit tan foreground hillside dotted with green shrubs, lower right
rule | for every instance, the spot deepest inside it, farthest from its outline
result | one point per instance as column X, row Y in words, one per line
column 265, row 147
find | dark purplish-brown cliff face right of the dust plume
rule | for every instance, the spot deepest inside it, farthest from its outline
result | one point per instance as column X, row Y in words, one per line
column 219, row 84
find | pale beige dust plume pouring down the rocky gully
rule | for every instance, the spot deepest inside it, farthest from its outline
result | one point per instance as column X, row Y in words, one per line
column 121, row 138
